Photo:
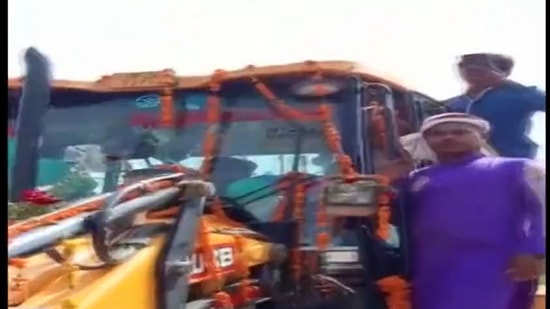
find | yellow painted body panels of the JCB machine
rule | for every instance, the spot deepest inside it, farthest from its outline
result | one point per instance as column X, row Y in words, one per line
column 44, row 283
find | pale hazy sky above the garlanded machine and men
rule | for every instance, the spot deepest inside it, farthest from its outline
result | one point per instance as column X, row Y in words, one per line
column 417, row 40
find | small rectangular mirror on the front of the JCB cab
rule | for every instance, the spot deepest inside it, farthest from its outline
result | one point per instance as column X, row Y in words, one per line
column 352, row 199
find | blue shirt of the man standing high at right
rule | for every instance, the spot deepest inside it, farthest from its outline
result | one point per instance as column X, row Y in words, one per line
column 509, row 109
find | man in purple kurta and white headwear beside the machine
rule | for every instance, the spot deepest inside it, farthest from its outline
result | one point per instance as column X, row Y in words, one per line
column 477, row 230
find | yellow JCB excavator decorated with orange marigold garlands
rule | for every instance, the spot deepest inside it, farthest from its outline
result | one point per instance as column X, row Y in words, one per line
column 266, row 187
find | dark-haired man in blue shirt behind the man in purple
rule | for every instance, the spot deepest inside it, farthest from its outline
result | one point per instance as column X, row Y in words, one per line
column 507, row 105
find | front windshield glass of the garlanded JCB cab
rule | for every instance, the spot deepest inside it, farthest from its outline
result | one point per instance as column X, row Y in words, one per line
column 257, row 145
